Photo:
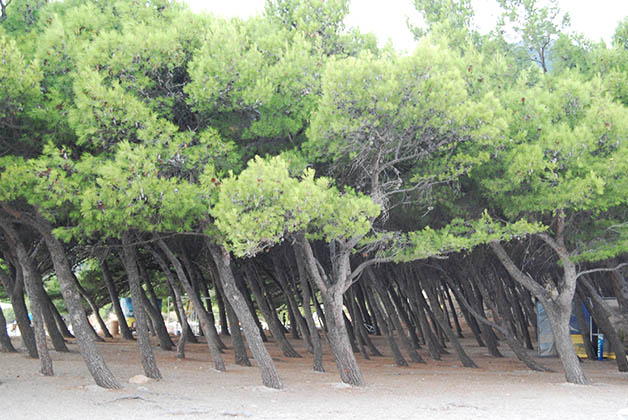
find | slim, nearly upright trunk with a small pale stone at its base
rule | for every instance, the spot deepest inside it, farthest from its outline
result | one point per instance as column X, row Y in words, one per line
column 129, row 260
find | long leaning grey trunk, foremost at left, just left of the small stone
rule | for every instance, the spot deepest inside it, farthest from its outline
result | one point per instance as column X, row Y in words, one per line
column 94, row 361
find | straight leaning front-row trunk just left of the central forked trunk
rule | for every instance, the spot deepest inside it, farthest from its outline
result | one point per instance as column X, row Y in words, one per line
column 270, row 377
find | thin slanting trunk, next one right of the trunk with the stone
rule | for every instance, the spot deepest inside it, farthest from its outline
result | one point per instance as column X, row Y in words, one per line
column 203, row 317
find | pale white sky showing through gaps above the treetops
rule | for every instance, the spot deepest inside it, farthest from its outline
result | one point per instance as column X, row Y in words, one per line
column 387, row 18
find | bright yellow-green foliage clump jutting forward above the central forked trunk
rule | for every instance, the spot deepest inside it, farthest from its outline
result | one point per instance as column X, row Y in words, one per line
column 263, row 204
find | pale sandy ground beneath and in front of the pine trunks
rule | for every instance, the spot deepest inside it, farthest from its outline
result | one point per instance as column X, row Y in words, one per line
column 192, row 389
